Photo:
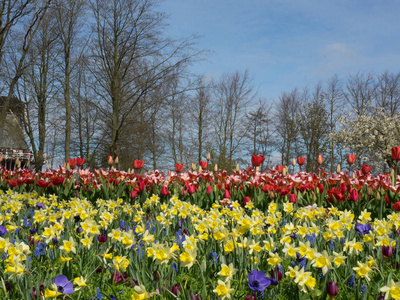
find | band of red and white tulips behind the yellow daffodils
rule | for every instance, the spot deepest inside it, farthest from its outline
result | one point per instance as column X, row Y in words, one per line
column 356, row 191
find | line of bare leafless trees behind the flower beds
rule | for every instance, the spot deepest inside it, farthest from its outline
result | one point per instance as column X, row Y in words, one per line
column 101, row 77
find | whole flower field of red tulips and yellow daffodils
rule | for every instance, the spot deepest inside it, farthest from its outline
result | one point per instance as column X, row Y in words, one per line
column 74, row 234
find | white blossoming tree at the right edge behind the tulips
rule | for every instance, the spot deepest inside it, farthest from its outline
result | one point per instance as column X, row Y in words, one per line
column 370, row 137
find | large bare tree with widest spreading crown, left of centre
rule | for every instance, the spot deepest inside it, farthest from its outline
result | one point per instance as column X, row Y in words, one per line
column 130, row 58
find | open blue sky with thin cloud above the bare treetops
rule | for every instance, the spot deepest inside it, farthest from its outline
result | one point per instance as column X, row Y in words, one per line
column 288, row 44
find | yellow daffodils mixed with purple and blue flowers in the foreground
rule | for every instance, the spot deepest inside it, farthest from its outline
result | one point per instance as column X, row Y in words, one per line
column 173, row 249
